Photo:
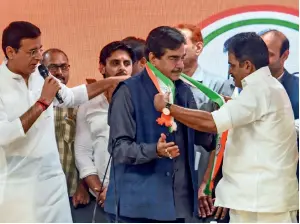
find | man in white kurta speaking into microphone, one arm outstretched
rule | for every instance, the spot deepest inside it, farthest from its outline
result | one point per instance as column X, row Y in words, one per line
column 32, row 183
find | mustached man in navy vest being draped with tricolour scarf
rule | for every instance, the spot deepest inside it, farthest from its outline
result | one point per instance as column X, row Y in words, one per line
column 153, row 176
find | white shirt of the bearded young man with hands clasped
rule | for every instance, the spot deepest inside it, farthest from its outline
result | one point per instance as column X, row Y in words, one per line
column 91, row 141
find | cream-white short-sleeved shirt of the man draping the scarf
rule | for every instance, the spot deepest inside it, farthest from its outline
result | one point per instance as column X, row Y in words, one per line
column 259, row 166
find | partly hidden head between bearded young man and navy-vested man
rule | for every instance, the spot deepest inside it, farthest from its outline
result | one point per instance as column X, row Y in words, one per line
column 138, row 47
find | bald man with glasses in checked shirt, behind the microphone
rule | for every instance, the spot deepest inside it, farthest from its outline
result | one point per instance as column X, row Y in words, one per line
column 58, row 65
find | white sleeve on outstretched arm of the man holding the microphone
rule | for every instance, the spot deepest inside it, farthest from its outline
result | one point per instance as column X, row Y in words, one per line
column 72, row 97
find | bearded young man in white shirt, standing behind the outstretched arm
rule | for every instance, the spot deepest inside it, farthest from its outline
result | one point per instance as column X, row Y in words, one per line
column 92, row 130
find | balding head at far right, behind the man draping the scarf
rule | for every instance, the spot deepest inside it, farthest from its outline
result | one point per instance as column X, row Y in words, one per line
column 278, row 46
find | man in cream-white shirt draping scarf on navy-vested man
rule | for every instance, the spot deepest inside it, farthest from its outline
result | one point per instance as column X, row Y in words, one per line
column 259, row 181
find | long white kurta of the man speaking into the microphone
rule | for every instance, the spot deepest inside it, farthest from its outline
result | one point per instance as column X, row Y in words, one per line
column 32, row 183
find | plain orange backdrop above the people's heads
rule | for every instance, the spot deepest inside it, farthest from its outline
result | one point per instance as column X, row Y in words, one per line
column 81, row 28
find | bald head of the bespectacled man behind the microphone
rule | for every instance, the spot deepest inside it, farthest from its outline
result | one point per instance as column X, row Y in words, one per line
column 57, row 63
